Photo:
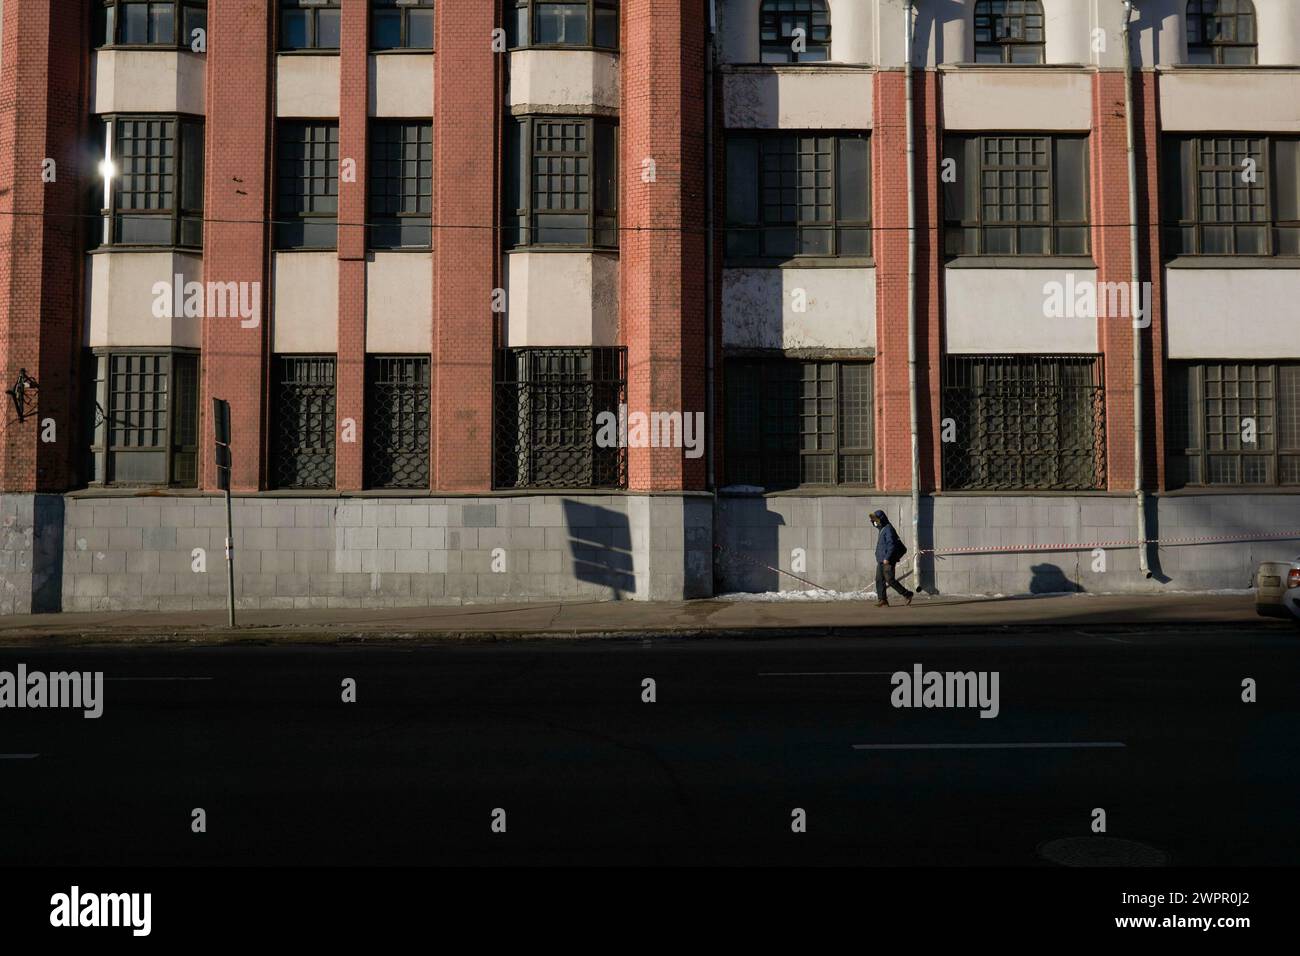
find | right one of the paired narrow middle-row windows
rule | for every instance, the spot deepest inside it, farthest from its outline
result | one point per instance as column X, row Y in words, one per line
column 401, row 174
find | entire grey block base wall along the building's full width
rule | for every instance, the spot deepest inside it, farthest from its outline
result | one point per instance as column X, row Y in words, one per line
column 86, row 553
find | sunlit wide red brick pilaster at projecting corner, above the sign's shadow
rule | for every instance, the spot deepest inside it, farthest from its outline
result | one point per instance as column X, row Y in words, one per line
column 662, row 243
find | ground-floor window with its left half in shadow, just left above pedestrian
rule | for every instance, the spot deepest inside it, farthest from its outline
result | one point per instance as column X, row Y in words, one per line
column 798, row 423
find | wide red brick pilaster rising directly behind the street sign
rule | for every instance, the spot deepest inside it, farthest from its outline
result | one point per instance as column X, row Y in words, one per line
column 237, row 206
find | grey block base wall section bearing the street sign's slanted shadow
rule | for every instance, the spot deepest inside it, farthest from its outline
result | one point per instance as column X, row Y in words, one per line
column 291, row 552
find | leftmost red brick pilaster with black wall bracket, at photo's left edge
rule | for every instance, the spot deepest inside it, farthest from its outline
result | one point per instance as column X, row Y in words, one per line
column 44, row 83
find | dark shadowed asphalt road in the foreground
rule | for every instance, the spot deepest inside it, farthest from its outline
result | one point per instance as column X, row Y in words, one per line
column 1149, row 726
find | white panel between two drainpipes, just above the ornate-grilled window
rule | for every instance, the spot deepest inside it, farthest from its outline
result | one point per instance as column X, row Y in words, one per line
column 1002, row 312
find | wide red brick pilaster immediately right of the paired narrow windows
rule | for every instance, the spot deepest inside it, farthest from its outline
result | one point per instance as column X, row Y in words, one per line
column 467, row 245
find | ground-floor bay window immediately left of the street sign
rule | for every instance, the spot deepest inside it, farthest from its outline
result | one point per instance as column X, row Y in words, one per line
column 146, row 426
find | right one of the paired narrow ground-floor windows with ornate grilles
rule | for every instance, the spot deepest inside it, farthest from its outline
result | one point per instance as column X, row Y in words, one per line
column 397, row 422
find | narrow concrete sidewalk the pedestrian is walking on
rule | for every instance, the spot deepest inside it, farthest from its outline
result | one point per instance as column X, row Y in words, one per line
column 639, row 618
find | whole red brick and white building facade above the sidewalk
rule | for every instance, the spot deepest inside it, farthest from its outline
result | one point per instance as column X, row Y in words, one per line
column 428, row 249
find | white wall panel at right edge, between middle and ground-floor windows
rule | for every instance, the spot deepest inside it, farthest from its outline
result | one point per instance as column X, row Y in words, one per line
column 1233, row 314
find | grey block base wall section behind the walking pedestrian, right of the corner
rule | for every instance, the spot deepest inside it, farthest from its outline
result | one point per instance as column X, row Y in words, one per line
column 839, row 544
